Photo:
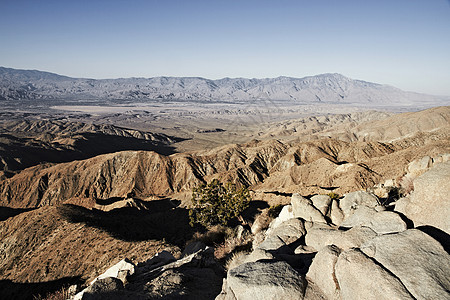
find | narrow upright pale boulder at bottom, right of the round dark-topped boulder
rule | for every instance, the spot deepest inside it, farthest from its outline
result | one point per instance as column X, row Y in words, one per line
column 321, row 271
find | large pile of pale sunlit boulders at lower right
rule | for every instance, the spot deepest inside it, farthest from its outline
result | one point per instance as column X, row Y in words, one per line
column 373, row 255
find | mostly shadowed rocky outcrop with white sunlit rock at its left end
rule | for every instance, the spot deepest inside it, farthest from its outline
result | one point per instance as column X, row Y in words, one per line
column 195, row 276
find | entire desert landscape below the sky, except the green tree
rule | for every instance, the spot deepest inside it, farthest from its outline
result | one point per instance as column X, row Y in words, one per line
column 348, row 180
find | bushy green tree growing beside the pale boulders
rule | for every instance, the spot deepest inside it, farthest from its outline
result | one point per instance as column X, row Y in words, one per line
column 216, row 203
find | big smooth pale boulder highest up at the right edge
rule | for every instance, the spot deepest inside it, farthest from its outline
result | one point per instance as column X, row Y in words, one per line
column 429, row 204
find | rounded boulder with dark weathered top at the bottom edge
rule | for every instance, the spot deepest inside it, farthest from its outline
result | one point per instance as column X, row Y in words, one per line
column 266, row 279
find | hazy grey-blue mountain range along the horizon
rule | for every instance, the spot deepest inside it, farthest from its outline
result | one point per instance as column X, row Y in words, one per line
column 325, row 88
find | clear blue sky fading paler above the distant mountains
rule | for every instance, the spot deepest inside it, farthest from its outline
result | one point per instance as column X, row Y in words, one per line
column 404, row 43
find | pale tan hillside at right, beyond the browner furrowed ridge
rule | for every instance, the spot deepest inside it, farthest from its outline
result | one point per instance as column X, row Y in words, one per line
column 361, row 126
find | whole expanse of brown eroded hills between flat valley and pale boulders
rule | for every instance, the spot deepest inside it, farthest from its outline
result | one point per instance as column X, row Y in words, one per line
column 67, row 220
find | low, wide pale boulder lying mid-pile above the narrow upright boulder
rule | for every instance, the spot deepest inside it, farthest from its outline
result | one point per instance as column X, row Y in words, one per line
column 319, row 237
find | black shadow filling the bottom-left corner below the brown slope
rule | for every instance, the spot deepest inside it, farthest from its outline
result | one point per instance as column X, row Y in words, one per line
column 25, row 291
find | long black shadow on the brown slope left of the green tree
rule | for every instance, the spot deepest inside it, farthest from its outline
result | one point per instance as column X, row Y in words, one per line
column 131, row 224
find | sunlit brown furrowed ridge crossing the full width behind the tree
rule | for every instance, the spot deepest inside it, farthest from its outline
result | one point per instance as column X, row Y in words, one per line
column 269, row 168
